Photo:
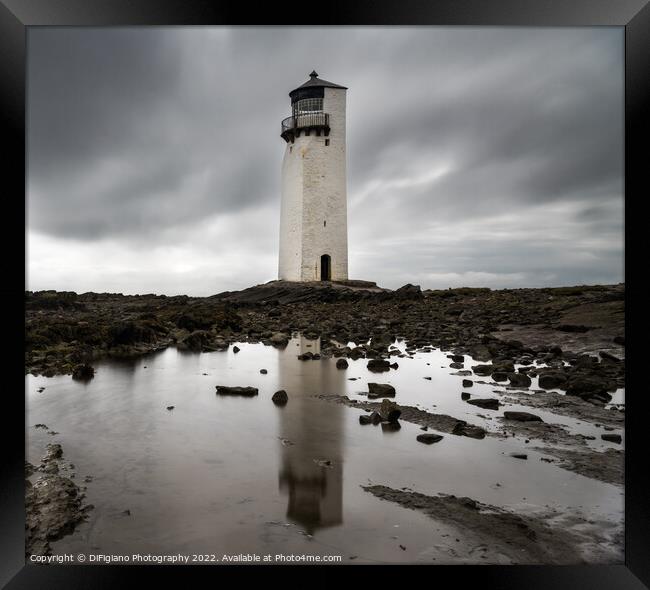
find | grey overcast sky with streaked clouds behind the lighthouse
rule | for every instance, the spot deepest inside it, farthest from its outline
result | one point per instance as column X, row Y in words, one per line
column 476, row 156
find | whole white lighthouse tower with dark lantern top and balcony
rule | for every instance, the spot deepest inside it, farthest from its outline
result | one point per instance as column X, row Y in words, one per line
column 313, row 218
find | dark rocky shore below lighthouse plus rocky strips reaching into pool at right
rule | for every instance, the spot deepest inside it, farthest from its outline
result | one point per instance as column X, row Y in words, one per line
column 571, row 338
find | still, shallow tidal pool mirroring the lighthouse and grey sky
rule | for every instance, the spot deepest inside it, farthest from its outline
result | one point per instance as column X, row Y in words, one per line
column 228, row 475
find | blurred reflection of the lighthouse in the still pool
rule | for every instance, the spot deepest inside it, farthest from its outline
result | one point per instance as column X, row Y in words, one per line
column 312, row 439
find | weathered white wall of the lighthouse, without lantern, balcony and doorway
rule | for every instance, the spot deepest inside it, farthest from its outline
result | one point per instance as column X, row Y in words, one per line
column 313, row 218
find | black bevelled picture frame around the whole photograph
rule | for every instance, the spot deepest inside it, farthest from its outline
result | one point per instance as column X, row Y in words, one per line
column 17, row 15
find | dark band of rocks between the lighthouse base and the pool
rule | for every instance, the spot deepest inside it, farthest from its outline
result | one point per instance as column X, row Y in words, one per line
column 64, row 329
